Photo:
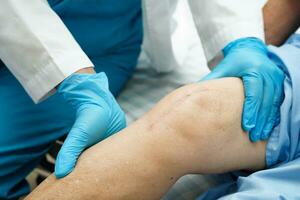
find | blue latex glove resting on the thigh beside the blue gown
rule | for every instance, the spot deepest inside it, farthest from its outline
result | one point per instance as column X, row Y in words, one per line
column 247, row 58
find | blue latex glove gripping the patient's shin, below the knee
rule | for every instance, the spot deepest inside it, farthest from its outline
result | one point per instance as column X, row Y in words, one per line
column 98, row 116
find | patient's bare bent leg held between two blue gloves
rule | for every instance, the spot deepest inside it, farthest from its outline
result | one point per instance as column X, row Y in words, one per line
column 196, row 129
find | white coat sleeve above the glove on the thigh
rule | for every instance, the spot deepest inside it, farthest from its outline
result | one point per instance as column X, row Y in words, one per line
column 219, row 22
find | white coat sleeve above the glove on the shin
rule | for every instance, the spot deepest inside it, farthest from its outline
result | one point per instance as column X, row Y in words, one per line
column 37, row 47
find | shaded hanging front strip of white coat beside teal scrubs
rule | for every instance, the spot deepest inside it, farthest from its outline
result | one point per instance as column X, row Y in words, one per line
column 157, row 23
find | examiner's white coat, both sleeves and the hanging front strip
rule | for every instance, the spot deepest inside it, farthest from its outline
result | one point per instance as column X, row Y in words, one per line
column 40, row 51
